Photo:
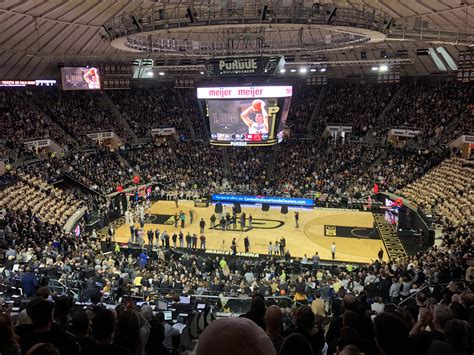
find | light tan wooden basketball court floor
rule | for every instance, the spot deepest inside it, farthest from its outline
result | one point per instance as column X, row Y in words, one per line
column 308, row 238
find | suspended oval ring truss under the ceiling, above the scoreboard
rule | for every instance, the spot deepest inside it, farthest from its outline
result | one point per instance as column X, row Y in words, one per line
column 130, row 26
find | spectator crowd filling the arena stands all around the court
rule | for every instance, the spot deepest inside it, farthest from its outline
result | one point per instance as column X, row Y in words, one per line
column 420, row 304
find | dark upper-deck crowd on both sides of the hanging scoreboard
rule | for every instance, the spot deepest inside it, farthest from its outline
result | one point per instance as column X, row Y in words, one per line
column 440, row 110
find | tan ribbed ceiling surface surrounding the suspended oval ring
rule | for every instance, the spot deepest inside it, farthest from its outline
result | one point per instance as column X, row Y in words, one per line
column 37, row 35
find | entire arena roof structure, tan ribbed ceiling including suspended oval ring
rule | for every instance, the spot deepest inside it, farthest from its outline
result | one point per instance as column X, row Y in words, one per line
column 37, row 35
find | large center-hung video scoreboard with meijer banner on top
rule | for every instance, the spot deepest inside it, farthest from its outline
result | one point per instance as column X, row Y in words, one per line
column 242, row 116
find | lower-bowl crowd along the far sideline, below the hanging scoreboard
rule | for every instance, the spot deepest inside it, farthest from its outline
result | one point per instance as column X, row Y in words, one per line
column 294, row 168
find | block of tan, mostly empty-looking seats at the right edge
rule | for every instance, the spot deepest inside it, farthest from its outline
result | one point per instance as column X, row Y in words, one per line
column 446, row 191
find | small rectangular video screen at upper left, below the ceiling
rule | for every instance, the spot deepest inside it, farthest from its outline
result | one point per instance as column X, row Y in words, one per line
column 80, row 78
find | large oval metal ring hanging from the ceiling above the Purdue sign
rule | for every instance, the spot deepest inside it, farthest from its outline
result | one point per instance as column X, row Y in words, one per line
column 170, row 17
